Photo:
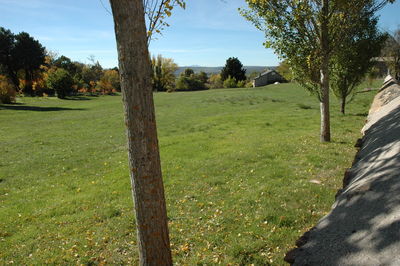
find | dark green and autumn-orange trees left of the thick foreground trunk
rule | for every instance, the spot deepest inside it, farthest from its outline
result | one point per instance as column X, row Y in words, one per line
column 27, row 68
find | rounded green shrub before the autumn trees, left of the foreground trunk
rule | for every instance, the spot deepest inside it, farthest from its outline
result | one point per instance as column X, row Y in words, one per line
column 61, row 82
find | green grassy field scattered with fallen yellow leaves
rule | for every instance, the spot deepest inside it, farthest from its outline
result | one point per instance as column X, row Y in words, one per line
column 237, row 166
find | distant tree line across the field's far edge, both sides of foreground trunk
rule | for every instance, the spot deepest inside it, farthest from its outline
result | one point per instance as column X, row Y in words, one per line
column 27, row 68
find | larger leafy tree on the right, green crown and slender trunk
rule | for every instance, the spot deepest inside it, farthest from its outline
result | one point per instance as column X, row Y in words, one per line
column 306, row 34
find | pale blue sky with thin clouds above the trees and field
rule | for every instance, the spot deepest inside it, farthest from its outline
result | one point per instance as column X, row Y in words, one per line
column 206, row 33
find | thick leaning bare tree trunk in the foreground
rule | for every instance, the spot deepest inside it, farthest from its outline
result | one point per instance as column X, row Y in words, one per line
column 144, row 159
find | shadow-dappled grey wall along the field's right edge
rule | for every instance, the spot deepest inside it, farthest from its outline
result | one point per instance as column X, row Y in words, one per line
column 363, row 227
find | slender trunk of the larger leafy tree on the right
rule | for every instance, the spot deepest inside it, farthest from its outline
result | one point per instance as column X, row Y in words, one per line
column 324, row 104
